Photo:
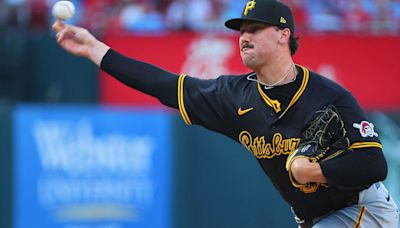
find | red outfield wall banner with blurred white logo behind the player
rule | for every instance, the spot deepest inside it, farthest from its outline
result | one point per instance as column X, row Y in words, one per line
column 366, row 66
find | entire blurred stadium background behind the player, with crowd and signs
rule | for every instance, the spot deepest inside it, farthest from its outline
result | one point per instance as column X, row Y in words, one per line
column 80, row 150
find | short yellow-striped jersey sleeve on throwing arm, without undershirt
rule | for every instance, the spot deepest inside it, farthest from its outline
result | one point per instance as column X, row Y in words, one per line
column 205, row 102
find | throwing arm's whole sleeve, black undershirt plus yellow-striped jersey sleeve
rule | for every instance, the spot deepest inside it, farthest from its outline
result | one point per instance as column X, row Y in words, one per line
column 202, row 102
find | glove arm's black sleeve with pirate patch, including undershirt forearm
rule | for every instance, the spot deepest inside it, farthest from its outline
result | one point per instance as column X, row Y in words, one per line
column 366, row 163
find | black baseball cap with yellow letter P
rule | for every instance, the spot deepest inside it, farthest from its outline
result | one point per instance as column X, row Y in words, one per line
column 267, row 11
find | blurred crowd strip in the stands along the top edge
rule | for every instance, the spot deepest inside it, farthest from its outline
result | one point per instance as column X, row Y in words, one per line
column 157, row 16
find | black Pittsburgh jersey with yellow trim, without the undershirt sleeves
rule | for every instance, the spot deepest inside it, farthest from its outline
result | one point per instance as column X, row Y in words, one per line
column 269, row 122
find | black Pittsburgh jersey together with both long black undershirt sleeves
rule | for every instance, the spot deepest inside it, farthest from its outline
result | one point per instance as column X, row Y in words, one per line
column 268, row 123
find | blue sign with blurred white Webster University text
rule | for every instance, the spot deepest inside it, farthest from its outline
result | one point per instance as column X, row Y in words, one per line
column 91, row 167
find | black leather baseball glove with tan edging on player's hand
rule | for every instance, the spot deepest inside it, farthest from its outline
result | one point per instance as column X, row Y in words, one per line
column 323, row 139
